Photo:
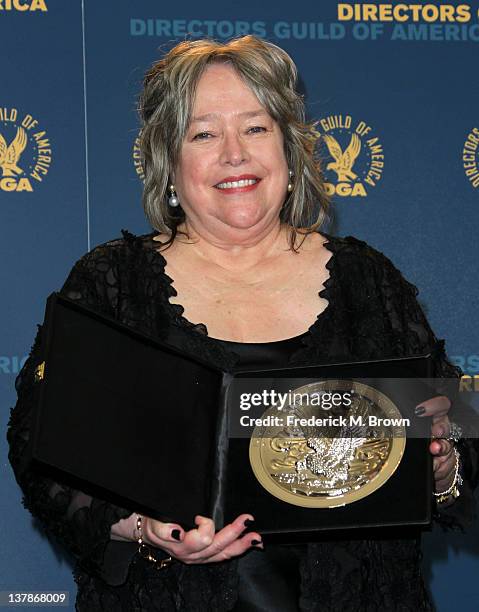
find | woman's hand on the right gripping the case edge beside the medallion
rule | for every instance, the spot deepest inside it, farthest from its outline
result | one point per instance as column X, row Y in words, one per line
column 444, row 462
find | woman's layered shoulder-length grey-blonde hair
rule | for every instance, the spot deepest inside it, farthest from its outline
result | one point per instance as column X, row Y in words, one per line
column 165, row 107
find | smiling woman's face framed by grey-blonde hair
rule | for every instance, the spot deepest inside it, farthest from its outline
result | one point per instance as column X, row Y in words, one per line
column 232, row 174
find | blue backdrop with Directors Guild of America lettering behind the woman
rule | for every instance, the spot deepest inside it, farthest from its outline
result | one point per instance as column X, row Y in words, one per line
column 403, row 83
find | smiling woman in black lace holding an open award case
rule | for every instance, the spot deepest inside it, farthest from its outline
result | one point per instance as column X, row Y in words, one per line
column 237, row 272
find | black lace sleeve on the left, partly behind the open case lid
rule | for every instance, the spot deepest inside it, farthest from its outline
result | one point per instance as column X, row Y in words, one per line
column 78, row 521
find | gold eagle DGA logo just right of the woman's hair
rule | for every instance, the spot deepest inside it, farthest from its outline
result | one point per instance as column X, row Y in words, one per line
column 353, row 156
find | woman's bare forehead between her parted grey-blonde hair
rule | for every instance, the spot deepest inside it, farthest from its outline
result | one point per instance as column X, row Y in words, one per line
column 221, row 90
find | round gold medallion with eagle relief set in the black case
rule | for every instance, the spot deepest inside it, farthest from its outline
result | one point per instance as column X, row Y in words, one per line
column 325, row 458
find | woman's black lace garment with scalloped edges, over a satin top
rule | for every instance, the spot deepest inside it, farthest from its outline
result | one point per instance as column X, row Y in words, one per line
column 372, row 313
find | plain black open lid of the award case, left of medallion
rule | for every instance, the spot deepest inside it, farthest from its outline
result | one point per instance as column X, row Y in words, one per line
column 121, row 414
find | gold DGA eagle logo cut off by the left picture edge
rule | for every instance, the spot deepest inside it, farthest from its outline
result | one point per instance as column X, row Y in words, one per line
column 25, row 151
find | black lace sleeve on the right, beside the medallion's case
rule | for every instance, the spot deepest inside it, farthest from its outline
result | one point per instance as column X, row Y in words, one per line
column 413, row 335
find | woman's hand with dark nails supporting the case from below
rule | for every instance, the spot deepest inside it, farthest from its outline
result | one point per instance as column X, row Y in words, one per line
column 203, row 544
